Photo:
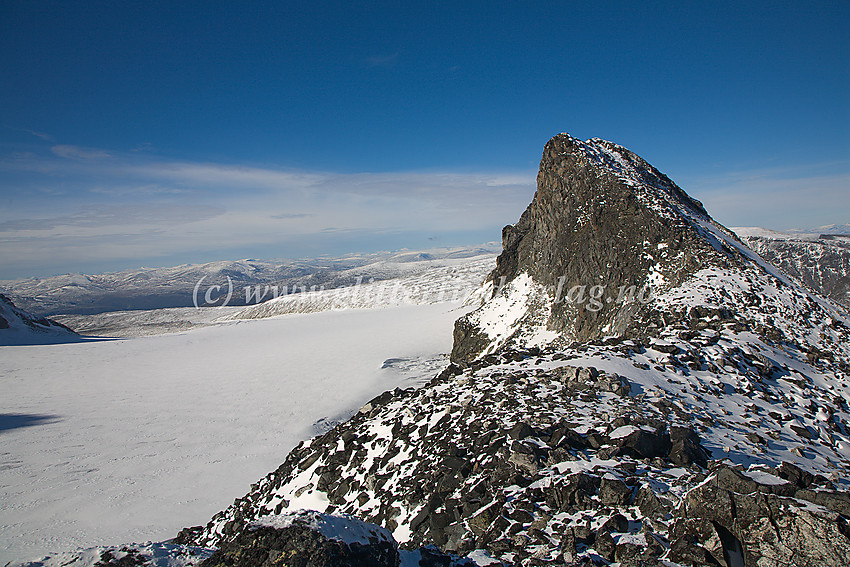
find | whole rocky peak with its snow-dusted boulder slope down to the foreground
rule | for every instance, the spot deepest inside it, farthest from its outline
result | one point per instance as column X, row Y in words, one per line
column 705, row 422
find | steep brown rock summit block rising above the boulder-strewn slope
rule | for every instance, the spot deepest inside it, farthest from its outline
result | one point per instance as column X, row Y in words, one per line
column 604, row 231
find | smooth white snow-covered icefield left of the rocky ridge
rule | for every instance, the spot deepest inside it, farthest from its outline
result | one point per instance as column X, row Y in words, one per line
column 119, row 441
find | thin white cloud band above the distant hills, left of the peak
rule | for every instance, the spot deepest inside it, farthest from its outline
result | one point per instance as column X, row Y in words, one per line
column 126, row 207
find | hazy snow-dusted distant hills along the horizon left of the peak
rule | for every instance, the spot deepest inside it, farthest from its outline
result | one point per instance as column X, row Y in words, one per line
column 157, row 288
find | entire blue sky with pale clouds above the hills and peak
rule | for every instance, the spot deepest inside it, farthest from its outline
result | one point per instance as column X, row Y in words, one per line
column 156, row 133
